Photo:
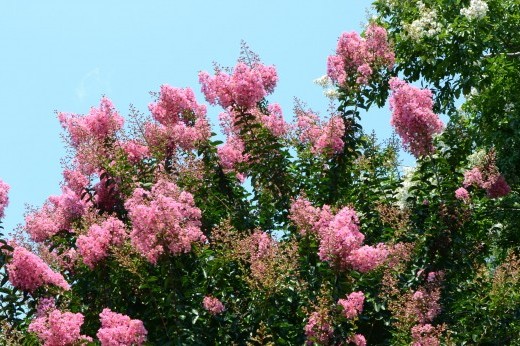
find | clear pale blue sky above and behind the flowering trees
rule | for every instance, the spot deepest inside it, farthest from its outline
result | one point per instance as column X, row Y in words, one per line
column 64, row 55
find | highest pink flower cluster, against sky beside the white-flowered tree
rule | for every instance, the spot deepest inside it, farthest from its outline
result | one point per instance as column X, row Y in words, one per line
column 356, row 57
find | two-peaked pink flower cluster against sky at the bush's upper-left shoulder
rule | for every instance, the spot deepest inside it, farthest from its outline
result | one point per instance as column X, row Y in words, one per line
column 99, row 124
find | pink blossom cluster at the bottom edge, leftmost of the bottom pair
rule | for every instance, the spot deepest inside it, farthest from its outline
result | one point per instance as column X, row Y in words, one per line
column 56, row 328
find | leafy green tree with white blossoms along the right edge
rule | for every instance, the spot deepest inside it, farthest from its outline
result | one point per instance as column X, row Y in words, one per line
column 468, row 54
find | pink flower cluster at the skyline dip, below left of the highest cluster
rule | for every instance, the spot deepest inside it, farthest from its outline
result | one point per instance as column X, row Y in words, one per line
column 324, row 138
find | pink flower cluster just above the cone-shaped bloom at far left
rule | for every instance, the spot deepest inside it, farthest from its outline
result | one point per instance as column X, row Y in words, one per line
column 57, row 214
